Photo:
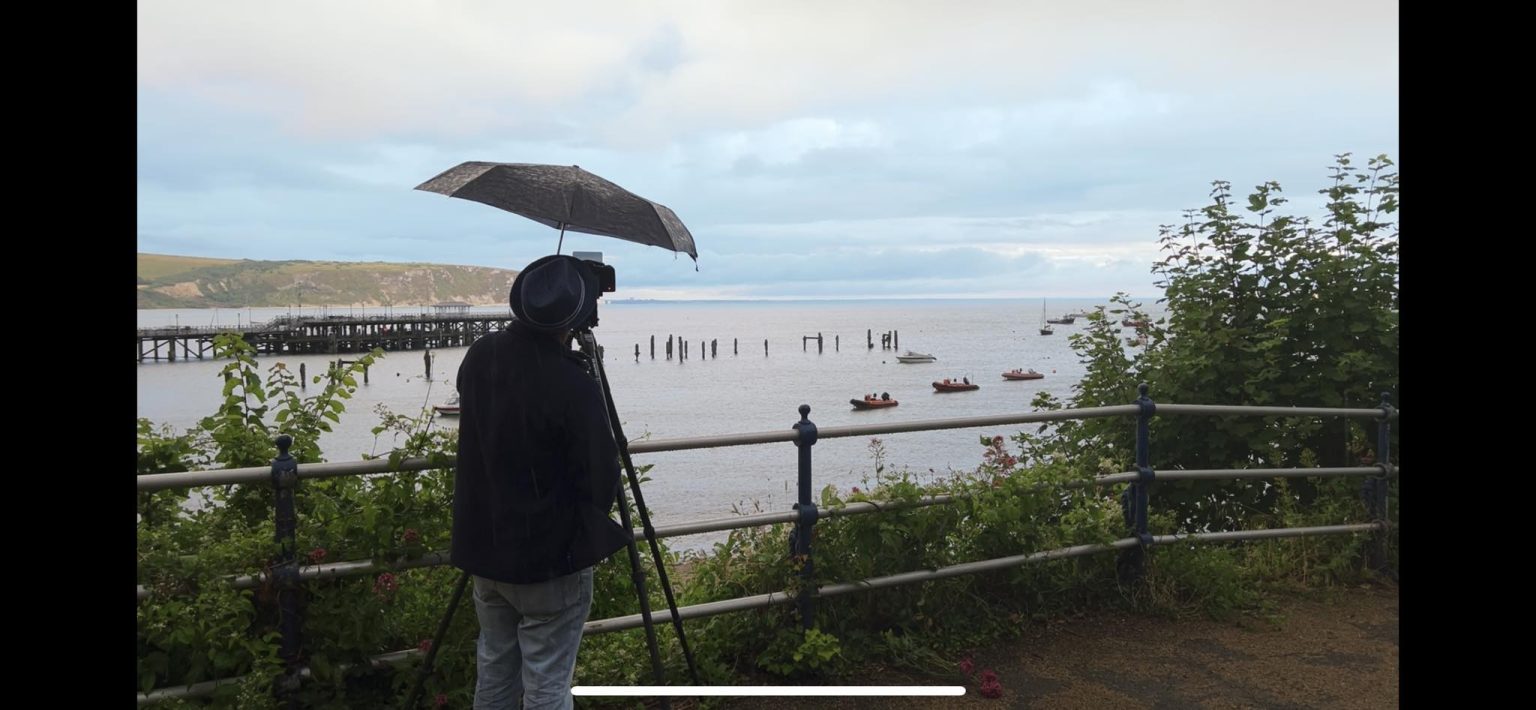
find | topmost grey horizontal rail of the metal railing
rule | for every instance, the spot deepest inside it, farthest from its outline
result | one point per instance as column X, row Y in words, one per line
column 223, row 477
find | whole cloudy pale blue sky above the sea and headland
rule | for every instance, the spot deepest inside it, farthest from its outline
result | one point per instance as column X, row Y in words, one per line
column 815, row 150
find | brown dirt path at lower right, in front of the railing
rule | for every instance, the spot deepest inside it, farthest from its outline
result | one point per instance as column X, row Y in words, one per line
column 1322, row 651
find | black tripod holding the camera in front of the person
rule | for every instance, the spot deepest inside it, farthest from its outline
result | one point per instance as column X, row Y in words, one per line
column 594, row 351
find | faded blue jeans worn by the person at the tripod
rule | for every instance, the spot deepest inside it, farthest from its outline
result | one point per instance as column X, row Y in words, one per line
column 529, row 640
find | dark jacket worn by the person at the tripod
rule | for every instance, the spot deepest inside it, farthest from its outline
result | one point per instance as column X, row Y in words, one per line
column 538, row 469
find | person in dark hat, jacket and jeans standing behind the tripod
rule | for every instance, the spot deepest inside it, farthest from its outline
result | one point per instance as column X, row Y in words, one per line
column 537, row 476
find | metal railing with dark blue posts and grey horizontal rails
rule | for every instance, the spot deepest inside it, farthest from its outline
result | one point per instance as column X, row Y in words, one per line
column 288, row 576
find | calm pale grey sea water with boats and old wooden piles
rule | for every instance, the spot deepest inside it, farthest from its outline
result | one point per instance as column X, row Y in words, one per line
column 729, row 394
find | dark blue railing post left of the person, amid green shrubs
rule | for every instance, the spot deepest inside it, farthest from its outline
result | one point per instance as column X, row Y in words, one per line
column 285, row 569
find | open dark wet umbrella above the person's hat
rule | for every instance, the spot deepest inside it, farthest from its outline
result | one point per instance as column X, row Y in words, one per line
column 566, row 197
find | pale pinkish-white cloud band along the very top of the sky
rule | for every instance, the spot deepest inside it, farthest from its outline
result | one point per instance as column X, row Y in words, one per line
column 643, row 75
